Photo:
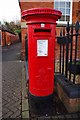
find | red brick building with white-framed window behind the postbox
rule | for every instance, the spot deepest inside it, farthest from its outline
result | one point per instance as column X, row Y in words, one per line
column 70, row 12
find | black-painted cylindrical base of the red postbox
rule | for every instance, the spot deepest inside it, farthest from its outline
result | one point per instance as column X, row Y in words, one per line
column 41, row 105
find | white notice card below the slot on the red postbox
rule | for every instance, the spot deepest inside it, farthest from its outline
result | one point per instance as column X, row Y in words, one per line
column 42, row 47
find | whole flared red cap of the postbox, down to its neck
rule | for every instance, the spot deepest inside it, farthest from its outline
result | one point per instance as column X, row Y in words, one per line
column 41, row 15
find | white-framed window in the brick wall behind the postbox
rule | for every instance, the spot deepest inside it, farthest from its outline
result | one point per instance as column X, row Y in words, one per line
column 65, row 6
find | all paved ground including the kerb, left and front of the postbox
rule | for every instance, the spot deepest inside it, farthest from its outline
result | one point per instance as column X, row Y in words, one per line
column 15, row 101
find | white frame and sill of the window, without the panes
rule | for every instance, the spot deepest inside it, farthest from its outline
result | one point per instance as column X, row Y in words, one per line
column 65, row 22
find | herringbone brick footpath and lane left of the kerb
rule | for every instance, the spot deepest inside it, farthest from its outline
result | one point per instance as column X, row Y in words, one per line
column 11, row 81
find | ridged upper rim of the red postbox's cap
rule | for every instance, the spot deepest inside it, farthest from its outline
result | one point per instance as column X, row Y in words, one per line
column 39, row 11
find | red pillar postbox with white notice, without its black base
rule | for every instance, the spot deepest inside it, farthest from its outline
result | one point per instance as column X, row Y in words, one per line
column 41, row 43
